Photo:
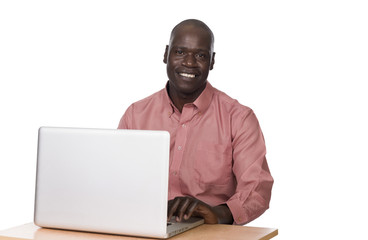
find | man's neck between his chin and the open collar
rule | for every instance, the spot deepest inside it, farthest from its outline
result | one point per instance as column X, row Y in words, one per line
column 180, row 99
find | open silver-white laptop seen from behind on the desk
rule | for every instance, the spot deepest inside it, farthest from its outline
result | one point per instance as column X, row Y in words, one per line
column 105, row 181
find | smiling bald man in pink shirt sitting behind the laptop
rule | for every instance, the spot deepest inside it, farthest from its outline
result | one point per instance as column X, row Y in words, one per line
column 218, row 168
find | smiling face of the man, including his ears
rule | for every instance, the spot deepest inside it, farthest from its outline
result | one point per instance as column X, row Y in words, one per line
column 189, row 58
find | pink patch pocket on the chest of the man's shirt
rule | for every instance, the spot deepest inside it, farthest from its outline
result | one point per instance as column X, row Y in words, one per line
column 213, row 163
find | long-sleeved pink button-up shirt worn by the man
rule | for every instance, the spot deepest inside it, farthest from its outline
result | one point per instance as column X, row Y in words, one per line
column 217, row 151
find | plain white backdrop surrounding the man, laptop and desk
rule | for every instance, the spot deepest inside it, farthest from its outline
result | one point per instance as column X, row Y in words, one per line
column 301, row 65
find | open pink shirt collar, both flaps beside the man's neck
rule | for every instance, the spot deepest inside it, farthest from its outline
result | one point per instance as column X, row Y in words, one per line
column 202, row 102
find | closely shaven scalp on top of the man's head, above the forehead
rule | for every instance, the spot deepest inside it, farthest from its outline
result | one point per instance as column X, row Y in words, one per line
column 193, row 24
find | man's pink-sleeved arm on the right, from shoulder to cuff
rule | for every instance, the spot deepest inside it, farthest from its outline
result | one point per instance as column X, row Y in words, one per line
column 254, row 181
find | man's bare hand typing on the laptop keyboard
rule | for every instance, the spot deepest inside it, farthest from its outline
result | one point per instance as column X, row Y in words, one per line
column 185, row 207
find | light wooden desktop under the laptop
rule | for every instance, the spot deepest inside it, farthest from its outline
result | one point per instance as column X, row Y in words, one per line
column 213, row 232
